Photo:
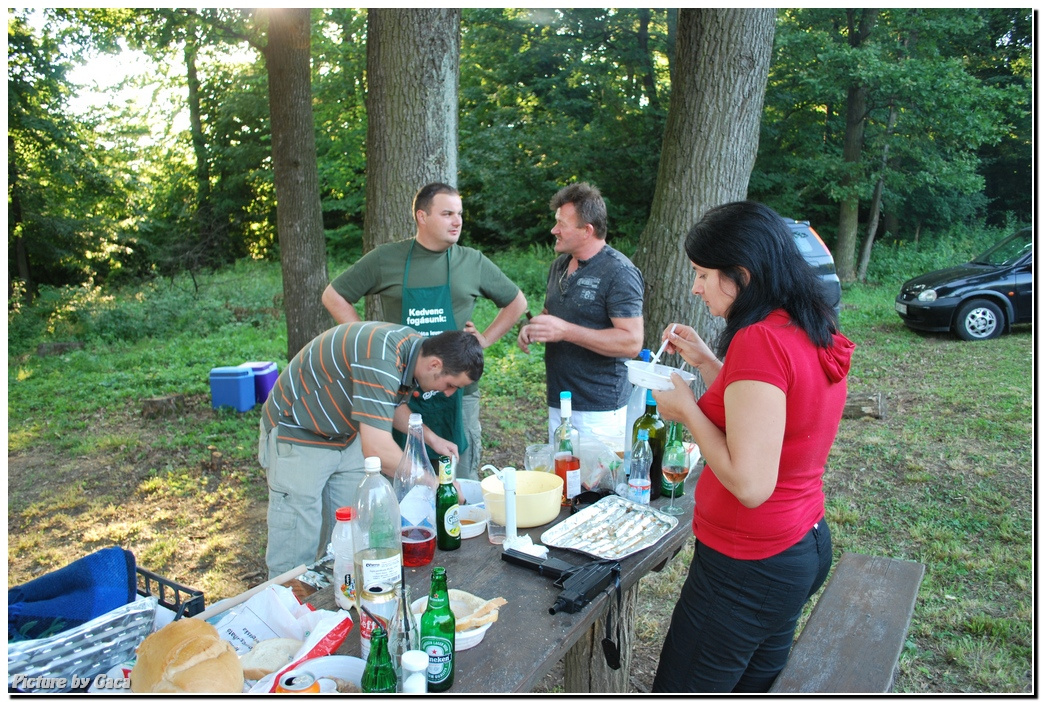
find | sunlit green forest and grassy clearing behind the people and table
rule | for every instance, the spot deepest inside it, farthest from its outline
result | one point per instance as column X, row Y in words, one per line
column 148, row 232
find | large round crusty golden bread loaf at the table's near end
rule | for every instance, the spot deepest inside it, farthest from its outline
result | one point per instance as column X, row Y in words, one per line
column 187, row 657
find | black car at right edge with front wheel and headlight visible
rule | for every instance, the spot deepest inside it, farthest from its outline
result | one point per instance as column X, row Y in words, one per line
column 978, row 300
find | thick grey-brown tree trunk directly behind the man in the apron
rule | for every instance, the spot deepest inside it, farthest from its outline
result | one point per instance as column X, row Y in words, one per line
column 413, row 105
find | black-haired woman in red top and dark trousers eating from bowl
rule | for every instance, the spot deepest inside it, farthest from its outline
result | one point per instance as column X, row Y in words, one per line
column 765, row 427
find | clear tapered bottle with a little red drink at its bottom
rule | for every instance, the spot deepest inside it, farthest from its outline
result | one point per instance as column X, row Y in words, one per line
column 416, row 485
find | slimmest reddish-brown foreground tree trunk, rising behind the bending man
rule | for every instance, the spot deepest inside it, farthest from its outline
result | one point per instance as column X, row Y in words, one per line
column 300, row 235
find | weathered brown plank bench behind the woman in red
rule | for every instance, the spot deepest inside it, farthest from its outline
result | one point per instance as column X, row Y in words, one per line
column 853, row 640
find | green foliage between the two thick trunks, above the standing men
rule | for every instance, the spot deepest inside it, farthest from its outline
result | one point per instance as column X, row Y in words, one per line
column 552, row 97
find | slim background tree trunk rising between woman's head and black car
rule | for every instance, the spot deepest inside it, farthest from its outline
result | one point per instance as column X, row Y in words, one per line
column 846, row 248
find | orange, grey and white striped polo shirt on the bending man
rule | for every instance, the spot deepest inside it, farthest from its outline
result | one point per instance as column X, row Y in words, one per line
column 352, row 373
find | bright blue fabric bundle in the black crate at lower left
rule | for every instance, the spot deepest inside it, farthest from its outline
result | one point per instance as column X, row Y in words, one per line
column 80, row 592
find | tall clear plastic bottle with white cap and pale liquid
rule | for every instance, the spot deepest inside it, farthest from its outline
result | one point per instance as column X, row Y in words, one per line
column 376, row 529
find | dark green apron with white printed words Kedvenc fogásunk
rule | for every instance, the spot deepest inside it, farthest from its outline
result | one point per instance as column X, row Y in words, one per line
column 443, row 415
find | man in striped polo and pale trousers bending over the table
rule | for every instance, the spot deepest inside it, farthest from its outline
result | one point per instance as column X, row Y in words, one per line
column 334, row 406
